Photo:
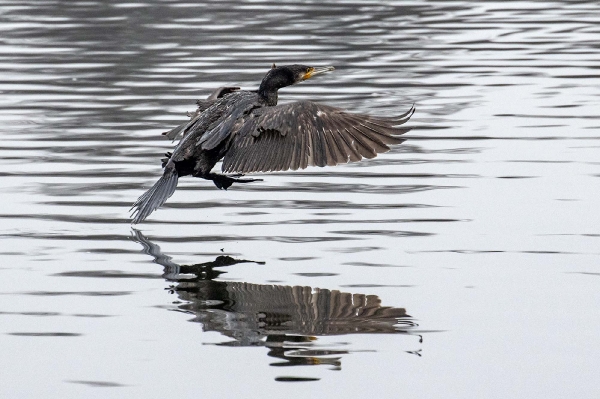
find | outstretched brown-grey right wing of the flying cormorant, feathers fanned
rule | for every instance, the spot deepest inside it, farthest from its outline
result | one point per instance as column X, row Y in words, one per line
column 301, row 134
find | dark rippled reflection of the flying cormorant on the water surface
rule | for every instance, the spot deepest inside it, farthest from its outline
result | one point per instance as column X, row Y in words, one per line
column 249, row 312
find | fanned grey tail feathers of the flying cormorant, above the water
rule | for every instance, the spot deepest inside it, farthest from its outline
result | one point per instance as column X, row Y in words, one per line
column 156, row 196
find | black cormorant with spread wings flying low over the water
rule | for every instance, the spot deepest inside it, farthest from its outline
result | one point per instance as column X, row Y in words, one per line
column 251, row 133
